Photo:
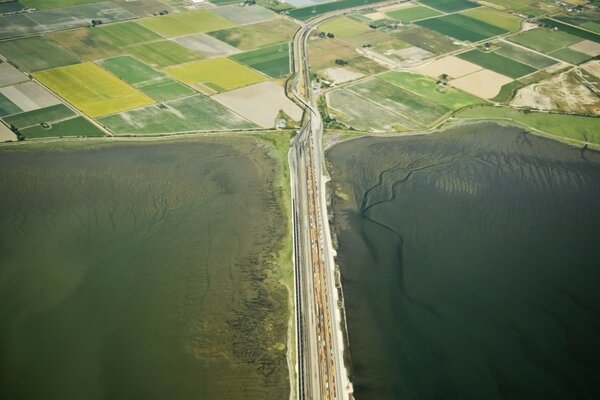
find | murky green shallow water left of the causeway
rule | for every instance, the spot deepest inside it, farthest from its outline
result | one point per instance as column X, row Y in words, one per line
column 142, row 271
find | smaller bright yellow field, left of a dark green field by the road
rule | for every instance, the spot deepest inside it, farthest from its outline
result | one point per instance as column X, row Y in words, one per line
column 219, row 74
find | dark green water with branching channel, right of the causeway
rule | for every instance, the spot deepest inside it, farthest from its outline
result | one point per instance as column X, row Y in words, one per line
column 471, row 265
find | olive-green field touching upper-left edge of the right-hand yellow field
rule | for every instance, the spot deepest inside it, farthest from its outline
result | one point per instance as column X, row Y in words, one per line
column 163, row 53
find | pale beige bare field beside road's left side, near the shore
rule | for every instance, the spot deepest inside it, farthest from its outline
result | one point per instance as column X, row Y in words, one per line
column 260, row 103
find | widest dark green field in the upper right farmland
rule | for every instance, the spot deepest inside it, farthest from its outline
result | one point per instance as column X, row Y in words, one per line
column 462, row 27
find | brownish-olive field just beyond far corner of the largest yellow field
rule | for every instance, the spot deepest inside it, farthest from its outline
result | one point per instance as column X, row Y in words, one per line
column 85, row 43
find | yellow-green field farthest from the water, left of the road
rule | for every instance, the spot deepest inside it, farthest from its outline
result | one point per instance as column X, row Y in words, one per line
column 186, row 23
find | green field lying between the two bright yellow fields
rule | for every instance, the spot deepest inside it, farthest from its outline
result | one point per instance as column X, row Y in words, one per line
column 144, row 78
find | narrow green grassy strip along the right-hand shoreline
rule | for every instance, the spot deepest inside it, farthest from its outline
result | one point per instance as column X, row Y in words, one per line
column 585, row 129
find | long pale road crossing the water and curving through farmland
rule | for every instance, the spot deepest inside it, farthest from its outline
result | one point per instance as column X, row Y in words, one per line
column 320, row 341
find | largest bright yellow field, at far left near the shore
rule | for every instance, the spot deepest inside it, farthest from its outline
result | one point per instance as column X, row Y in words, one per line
column 92, row 89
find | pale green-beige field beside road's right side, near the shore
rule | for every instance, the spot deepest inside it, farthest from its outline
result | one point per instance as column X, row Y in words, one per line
column 362, row 114
